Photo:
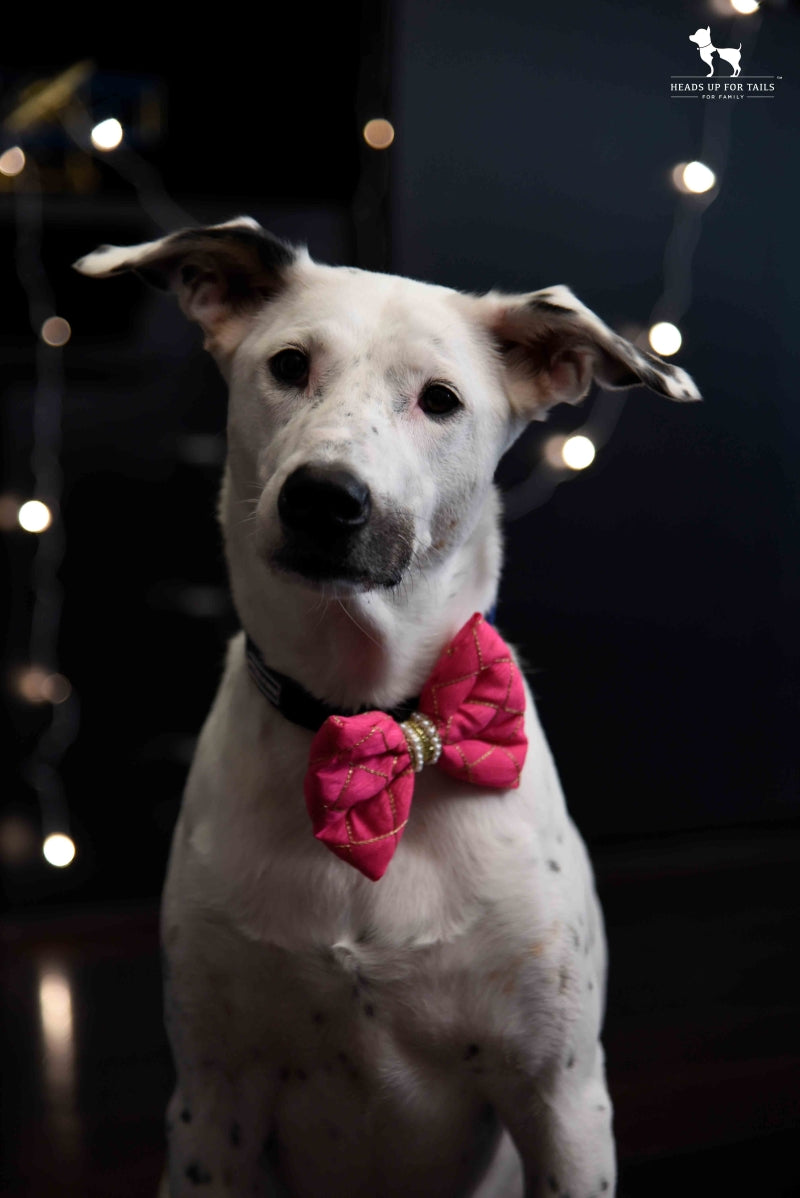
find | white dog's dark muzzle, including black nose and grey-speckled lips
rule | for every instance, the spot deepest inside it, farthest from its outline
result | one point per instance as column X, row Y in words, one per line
column 334, row 531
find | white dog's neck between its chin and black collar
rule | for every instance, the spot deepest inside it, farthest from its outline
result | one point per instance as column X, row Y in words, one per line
column 373, row 649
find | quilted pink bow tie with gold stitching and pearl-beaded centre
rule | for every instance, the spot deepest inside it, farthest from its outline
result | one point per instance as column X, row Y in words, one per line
column 361, row 776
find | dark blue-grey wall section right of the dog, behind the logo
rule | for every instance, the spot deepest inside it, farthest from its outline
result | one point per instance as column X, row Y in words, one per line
column 656, row 596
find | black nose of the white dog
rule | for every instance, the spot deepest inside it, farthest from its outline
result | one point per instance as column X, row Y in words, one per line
column 324, row 501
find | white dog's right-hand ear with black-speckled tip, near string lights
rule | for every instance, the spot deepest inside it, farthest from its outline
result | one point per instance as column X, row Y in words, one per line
column 554, row 347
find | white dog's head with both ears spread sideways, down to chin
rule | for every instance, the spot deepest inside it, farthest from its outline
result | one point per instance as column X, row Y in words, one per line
column 368, row 413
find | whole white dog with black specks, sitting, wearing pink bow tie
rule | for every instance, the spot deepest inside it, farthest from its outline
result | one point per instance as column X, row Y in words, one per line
column 437, row 1032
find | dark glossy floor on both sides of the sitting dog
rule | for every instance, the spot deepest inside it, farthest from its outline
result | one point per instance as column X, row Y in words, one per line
column 702, row 1039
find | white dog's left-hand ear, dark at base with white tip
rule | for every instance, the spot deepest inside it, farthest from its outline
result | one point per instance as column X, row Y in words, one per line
column 219, row 274
